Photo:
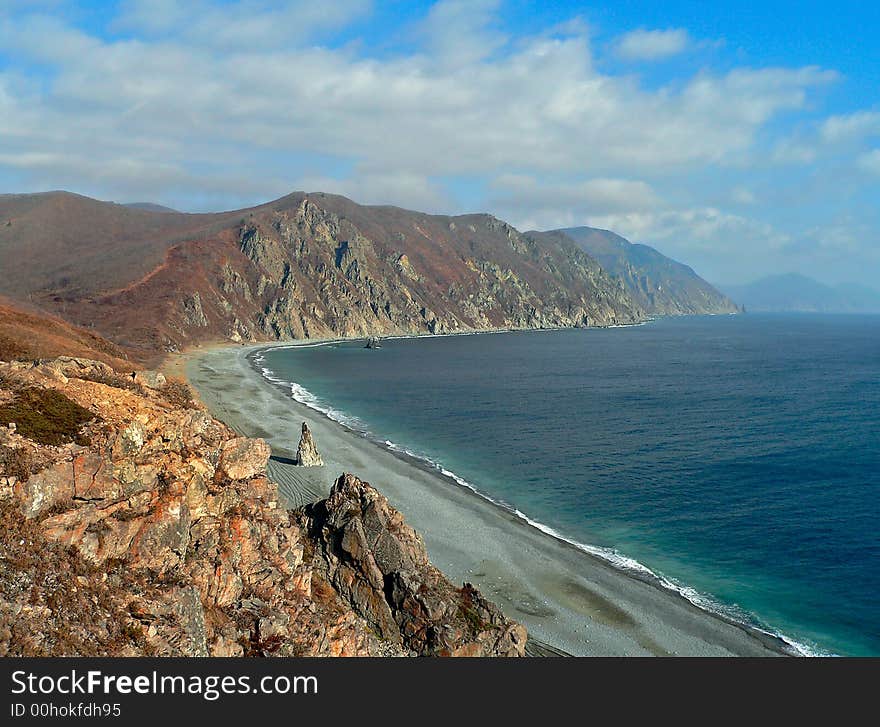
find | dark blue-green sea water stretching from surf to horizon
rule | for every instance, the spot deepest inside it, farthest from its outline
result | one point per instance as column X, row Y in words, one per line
column 738, row 455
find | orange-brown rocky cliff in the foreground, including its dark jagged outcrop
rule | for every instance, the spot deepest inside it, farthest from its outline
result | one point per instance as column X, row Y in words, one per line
column 134, row 524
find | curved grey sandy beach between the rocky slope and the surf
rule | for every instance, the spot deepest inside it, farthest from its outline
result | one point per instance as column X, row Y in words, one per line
column 567, row 598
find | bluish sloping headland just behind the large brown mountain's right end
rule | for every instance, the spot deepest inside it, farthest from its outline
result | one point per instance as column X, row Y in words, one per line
column 658, row 284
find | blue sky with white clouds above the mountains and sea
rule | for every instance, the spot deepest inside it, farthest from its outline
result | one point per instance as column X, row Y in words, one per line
column 741, row 138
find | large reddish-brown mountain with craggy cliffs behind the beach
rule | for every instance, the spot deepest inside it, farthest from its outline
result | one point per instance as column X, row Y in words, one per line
column 305, row 265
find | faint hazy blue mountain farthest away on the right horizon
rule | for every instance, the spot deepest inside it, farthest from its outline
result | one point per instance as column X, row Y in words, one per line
column 797, row 293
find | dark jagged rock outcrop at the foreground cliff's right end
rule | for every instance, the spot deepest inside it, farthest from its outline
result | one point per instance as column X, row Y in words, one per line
column 379, row 564
